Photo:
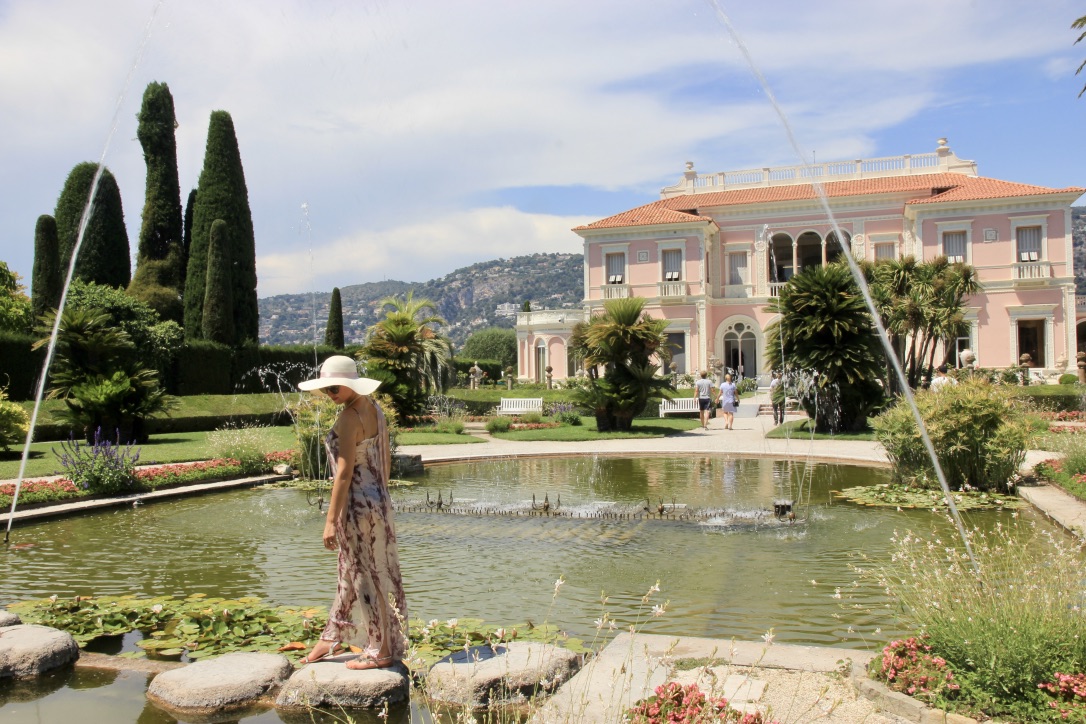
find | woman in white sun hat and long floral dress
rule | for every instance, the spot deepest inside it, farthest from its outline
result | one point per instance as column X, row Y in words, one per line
column 370, row 611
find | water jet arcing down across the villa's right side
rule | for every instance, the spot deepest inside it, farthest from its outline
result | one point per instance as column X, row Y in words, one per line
column 857, row 275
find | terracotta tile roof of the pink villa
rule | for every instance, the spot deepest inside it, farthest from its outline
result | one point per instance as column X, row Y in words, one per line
column 950, row 187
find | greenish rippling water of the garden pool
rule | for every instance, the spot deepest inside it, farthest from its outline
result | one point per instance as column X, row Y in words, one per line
column 736, row 575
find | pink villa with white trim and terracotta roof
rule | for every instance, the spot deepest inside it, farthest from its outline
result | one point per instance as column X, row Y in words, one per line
column 710, row 255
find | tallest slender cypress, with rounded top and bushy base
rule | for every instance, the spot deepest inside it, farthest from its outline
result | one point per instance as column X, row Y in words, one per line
column 158, row 281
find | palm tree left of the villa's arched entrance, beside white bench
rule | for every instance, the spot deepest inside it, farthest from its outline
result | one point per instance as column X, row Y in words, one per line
column 623, row 340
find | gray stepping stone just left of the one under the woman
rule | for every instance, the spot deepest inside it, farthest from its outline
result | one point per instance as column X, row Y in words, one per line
column 233, row 681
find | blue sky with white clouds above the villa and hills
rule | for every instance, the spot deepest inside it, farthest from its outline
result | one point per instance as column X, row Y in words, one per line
column 424, row 136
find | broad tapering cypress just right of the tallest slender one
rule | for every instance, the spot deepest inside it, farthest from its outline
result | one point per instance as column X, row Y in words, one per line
column 222, row 195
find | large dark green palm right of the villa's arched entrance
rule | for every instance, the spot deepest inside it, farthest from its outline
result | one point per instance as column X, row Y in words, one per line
column 825, row 335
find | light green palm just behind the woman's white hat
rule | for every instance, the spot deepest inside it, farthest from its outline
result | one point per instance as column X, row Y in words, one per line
column 408, row 353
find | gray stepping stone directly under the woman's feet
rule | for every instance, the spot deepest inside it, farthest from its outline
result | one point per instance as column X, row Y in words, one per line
column 333, row 684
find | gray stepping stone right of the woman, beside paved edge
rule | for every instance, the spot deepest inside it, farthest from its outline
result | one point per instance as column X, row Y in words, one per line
column 509, row 674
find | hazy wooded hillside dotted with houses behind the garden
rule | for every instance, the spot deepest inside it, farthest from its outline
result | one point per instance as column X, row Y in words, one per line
column 469, row 298
